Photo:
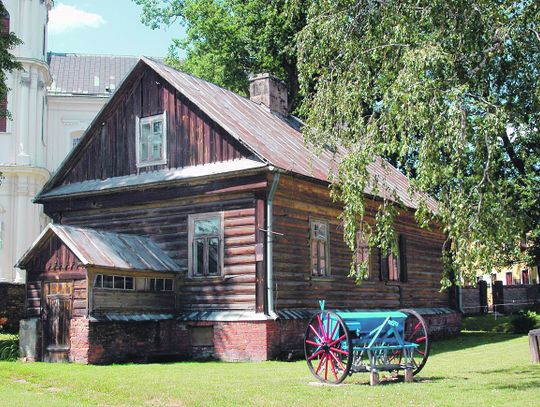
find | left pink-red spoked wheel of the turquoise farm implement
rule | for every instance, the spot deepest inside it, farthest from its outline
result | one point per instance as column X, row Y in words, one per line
column 327, row 346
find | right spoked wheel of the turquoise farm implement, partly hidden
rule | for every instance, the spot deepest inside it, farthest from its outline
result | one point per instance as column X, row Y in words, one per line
column 415, row 332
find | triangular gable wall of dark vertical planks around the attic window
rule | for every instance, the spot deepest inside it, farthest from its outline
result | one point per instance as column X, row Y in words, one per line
column 193, row 139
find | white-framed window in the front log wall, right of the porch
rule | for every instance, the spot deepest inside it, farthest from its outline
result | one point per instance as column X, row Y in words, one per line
column 206, row 244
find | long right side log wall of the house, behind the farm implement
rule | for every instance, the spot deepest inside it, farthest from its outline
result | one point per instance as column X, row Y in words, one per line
column 295, row 201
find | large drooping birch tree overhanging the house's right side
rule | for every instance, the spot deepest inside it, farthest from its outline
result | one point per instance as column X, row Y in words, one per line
column 449, row 92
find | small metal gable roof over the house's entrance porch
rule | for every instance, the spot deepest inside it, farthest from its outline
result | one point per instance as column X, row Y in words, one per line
column 106, row 249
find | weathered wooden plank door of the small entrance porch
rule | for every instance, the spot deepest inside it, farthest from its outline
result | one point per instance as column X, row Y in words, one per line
column 57, row 301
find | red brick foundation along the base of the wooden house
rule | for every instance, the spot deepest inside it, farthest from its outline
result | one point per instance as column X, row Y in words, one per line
column 103, row 342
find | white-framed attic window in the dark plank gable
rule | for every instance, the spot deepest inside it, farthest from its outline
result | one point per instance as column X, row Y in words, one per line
column 151, row 140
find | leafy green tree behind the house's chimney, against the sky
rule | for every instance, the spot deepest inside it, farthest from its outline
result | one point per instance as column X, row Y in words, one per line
column 229, row 40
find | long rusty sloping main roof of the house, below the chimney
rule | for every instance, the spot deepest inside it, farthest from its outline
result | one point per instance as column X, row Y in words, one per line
column 272, row 137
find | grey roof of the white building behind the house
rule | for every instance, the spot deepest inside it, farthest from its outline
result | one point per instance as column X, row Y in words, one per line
column 79, row 74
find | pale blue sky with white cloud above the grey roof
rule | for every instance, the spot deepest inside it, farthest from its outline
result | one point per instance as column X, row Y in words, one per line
column 105, row 27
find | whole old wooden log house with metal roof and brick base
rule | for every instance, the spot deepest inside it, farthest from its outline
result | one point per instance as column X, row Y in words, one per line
column 190, row 221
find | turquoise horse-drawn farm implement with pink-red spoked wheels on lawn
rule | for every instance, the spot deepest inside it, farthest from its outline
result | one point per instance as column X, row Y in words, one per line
column 340, row 343
